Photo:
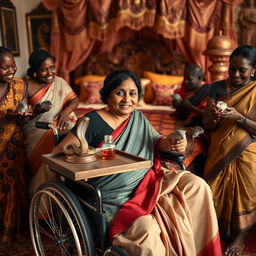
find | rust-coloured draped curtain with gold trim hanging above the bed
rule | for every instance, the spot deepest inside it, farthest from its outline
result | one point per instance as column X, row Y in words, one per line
column 78, row 24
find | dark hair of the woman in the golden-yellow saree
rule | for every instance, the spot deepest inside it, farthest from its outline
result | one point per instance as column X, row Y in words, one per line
column 246, row 51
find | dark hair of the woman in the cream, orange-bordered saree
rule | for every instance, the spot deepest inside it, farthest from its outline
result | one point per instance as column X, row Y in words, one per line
column 35, row 60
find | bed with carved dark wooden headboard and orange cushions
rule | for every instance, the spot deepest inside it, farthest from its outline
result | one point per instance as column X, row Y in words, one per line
column 161, row 75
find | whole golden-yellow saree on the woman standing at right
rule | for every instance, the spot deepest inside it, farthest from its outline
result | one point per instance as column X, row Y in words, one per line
column 230, row 168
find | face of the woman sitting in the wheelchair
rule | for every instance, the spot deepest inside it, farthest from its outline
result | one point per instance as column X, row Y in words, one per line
column 124, row 99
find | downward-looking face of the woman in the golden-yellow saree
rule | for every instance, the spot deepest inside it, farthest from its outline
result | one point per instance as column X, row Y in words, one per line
column 240, row 71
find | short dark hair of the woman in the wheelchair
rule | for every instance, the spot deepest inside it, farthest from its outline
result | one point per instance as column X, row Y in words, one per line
column 114, row 79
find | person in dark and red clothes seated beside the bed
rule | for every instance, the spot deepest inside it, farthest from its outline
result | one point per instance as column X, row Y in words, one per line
column 190, row 99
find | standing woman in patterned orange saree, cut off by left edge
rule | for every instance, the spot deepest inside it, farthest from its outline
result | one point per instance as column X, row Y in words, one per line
column 13, row 181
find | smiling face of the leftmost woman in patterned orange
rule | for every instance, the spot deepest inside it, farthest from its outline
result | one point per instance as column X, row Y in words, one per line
column 7, row 68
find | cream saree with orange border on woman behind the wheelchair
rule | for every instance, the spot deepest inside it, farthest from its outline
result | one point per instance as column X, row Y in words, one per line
column 38, row 141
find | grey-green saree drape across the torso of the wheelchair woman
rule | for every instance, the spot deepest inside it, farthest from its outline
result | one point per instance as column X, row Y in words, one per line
column 128, row 137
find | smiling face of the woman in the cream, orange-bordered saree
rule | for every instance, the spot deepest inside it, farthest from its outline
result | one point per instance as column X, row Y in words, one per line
column 46, row 71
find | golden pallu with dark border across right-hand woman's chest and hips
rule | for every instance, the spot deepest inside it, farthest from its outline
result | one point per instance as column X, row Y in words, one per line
column 229, row 139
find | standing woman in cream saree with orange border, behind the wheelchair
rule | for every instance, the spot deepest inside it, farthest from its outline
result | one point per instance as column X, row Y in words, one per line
column 44, row 85
